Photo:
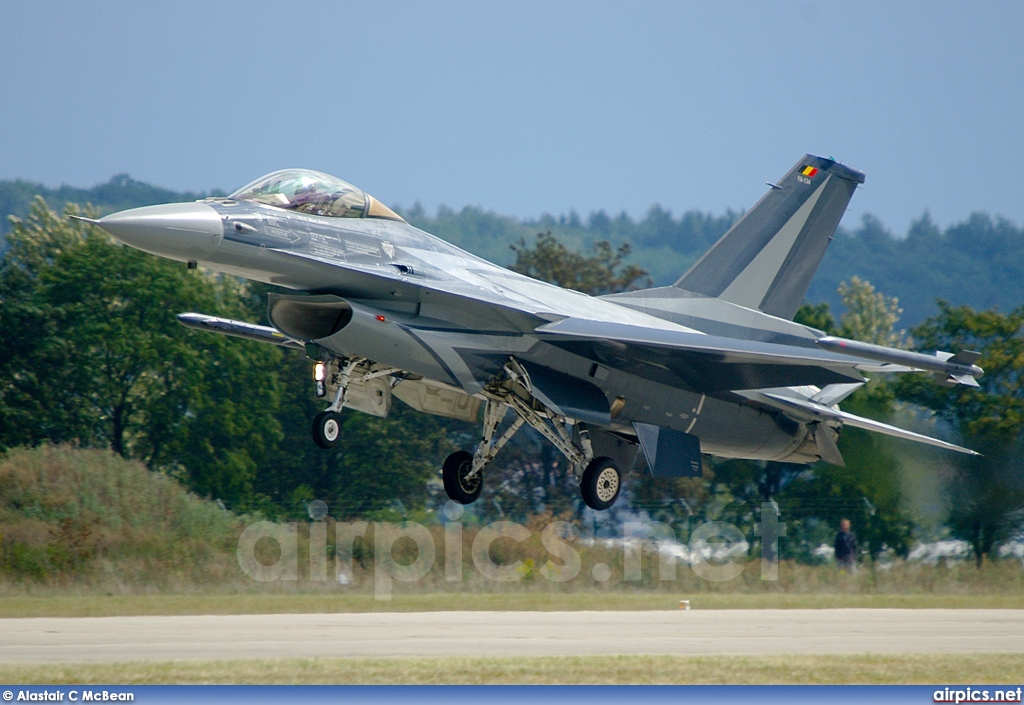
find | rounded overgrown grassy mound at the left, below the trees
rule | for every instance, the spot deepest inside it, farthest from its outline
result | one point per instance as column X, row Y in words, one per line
column 71, row 517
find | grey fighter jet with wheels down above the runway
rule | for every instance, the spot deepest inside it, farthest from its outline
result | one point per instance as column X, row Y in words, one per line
column 713, row 364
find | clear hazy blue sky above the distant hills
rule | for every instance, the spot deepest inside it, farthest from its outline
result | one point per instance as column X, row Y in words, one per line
column 527, row 108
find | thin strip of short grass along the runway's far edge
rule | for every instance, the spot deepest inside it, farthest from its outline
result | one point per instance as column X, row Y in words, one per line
column 105, row 606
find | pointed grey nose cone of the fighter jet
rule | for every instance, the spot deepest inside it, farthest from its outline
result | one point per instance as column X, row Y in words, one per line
column 178, row 231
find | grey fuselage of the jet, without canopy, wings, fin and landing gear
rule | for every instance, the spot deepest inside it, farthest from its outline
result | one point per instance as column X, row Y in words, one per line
column 453, row 317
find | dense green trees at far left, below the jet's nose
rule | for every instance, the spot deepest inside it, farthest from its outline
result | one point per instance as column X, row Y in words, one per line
column 98, row 358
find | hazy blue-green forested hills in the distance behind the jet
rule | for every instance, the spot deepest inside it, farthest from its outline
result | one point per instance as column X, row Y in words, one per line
column 978, row 263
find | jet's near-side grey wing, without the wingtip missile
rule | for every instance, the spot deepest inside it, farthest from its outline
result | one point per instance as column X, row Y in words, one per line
column 703, row 363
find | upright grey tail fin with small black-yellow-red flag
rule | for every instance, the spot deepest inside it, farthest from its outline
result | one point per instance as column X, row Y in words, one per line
column 769, row 259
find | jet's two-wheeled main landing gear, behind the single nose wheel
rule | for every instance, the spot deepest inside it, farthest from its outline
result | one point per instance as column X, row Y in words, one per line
column 601, row 479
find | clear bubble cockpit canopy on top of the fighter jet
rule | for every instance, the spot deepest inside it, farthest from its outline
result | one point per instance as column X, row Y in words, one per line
column 314, row 193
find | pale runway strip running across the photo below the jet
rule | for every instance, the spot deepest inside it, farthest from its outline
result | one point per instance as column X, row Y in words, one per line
column 511, row 634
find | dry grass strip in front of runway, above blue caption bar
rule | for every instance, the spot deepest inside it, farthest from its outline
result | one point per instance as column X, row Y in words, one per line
column 958, row 669
